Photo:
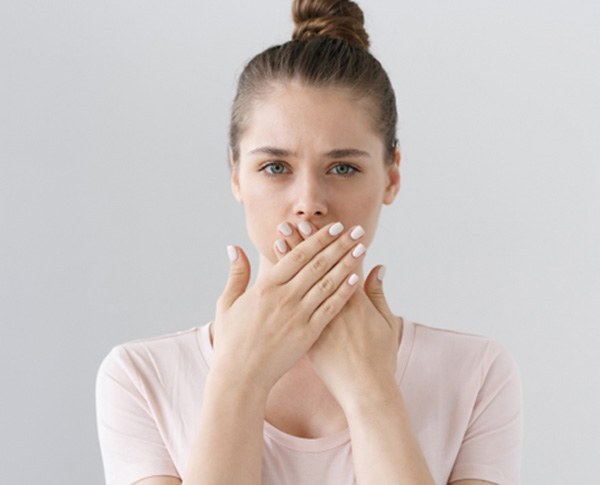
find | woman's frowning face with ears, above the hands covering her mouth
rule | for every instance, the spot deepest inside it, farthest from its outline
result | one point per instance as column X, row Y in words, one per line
column 311, row 154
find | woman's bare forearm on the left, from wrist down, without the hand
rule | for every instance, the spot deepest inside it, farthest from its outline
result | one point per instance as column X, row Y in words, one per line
column 229, row 443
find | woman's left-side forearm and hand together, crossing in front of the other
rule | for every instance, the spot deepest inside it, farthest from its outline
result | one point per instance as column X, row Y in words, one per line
column 258, row 335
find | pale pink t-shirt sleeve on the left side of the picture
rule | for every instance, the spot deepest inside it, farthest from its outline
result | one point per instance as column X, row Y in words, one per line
column 130, row 441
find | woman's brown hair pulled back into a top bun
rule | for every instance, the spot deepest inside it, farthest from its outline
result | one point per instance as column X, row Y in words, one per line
column 329, row 48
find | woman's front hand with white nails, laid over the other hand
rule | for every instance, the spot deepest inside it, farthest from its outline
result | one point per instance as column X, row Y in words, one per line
column 261, row 332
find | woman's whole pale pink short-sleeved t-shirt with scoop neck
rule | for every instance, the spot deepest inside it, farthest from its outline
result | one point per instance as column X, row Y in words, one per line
column 462, row 391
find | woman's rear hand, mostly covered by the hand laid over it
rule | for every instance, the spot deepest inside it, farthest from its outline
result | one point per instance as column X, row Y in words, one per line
column 356, row 353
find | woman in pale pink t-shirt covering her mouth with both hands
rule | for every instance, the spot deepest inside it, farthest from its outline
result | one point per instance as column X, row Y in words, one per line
column 307, row 377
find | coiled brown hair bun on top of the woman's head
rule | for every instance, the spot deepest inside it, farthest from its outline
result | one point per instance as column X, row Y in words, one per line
column 341, row 19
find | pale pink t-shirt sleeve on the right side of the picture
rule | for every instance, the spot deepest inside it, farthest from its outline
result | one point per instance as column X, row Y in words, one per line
column 491, row 446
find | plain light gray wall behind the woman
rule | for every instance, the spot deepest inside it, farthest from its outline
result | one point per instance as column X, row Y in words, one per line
column 115, row 205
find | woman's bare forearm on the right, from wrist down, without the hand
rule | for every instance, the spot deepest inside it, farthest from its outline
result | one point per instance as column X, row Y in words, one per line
column 384, row 446
